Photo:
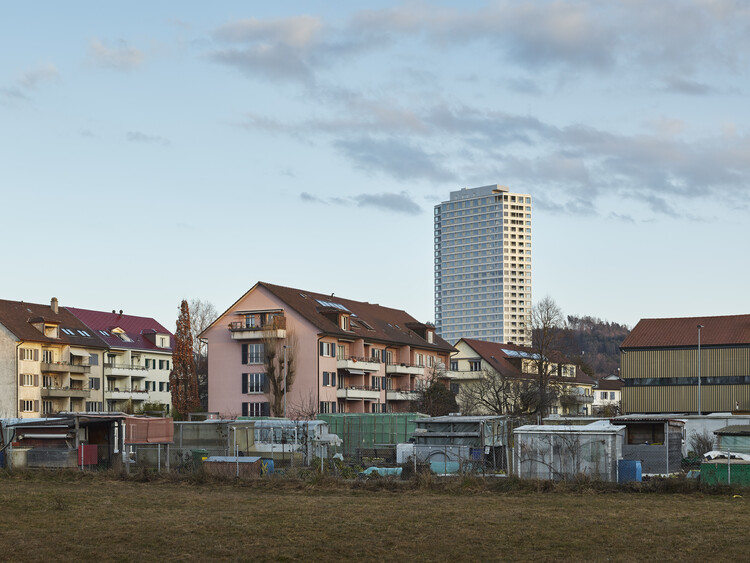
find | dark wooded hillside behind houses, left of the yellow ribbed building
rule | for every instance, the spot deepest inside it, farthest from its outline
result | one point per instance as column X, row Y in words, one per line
column 595, row 343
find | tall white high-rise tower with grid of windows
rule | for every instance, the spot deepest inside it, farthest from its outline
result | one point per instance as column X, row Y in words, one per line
column 483, row 265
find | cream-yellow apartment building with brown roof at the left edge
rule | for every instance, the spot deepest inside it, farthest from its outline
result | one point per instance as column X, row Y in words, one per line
column 50, row 361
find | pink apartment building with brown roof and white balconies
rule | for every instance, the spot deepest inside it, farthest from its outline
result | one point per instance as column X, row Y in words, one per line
column 350, row 356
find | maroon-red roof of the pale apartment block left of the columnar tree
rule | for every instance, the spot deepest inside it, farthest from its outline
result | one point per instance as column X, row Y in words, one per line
column 136, row 328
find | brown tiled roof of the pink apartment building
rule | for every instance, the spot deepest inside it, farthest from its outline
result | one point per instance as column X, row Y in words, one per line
column 387, row 324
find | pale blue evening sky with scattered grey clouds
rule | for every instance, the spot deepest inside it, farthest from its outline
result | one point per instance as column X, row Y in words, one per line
column 155, row 151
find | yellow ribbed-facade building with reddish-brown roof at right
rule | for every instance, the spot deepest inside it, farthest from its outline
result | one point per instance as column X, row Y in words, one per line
column 661, row 362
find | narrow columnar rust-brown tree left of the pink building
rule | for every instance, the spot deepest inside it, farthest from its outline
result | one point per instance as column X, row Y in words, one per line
column 183, row 380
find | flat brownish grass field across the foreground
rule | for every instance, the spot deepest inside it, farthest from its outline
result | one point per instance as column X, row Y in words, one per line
column 91, row 517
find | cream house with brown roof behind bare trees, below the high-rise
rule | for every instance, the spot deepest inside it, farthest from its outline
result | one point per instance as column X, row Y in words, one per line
column 496, row 378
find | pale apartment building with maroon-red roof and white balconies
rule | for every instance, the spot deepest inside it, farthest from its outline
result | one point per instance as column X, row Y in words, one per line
column 137, row 361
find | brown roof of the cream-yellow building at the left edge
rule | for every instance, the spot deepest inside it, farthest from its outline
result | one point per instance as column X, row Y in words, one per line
column 16, row 317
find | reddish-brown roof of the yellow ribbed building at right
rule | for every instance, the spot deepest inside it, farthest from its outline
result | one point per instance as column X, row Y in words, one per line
column 682, row 332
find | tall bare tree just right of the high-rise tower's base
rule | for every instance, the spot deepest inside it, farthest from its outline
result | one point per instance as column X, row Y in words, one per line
column 546, row 326
